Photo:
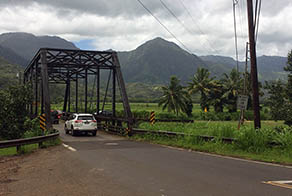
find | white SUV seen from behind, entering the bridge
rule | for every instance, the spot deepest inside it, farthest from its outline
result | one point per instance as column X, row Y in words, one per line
column 81, row 123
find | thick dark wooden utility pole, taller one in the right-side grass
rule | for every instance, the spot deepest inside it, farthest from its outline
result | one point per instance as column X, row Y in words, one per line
column 253, row 65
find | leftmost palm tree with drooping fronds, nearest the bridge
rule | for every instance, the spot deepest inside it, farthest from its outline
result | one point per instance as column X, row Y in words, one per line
column 174, row 97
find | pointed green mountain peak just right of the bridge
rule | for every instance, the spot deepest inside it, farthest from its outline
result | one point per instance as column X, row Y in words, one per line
column 156, row 60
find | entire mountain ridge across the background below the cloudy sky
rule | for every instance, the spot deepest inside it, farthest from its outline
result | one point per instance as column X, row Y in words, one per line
column 153, row 62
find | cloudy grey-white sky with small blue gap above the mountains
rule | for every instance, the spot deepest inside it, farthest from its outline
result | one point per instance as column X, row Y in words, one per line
column 201, row 27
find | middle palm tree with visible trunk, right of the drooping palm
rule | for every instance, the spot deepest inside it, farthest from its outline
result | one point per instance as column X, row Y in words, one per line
column 203, row 84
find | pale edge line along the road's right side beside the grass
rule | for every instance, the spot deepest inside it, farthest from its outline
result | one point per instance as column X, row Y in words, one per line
column 227, row 157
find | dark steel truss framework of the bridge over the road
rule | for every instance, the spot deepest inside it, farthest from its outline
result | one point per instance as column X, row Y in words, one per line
column 65, row 66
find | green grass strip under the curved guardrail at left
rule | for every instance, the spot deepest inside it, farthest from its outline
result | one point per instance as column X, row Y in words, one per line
column 27, row 148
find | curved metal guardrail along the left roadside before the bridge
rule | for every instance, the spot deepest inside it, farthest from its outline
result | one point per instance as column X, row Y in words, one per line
column 19, row 142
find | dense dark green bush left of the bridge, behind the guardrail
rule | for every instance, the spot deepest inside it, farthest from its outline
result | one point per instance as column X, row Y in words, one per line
column 13, row 111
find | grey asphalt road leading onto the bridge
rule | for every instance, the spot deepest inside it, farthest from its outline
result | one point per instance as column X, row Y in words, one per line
column 148, row 169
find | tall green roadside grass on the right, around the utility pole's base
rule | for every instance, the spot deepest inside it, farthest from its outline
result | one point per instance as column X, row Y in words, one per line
column 250, row 144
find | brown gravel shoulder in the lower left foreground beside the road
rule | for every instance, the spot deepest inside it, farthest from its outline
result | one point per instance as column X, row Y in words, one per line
column 54, row 171
